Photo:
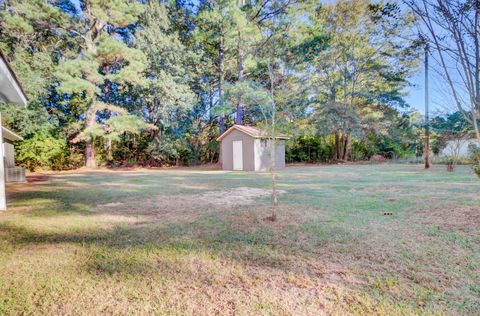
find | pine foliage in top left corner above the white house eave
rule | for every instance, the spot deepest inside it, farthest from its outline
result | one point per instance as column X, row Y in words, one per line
column 31, row 34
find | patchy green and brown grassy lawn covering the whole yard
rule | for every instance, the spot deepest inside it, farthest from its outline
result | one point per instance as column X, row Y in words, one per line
column 190, row 242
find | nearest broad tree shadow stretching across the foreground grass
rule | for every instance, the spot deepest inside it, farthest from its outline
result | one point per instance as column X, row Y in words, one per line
column 131, row 249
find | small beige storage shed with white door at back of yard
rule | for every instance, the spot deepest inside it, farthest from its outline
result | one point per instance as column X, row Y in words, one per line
column 248, row 148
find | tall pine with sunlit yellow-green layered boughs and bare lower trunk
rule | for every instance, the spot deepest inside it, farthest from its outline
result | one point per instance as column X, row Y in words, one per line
column 105, row 62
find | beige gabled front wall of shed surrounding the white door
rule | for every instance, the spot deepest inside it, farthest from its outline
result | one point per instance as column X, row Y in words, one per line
column 247, row 149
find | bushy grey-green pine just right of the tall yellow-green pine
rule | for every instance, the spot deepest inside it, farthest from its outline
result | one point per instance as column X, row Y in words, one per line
column 166, row 96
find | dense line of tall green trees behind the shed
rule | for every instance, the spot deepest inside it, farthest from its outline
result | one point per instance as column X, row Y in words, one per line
column 126, row 82
